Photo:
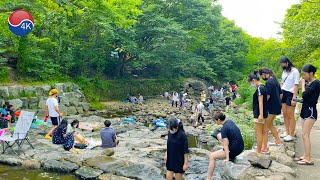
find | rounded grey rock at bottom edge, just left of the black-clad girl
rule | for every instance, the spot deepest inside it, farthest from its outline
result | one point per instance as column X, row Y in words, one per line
column 140, row 171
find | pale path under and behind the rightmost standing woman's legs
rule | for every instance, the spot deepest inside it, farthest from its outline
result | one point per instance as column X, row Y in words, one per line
column 309, row 172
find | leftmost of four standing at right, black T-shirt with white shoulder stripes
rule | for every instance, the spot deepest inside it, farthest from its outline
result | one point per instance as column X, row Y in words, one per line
column 259, row 108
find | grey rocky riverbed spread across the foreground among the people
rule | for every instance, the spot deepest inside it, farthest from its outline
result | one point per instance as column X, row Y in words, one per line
column 141, row 149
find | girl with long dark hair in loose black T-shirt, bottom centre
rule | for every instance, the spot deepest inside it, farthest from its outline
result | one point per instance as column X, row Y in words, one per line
column 176, row 157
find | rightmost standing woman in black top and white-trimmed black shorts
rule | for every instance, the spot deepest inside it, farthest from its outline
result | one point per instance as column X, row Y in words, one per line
column 309, row 112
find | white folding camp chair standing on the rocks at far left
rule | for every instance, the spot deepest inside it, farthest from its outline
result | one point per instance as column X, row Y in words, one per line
column 20, row 133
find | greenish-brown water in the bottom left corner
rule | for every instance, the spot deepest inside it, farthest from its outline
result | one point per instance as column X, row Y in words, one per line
column 18, row 173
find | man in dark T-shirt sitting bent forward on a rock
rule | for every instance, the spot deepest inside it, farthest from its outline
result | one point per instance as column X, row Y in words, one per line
column 230, row 137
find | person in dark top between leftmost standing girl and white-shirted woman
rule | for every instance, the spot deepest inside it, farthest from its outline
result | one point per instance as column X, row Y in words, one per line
column 274, row 95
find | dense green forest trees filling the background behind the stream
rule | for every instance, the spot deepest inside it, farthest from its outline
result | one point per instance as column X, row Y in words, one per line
column 91, row 41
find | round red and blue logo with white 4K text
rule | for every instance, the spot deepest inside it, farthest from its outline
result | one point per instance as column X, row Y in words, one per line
column 20, row 22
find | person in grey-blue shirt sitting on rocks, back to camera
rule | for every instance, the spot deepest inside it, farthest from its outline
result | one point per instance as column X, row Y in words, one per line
column 108, row 136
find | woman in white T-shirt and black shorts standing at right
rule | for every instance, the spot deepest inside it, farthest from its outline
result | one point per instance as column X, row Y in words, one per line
column 290, row 87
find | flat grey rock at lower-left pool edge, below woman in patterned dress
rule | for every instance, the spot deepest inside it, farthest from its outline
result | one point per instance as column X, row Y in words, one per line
column 58, row 166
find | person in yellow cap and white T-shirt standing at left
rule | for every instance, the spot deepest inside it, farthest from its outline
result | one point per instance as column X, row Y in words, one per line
column 52, row 110
